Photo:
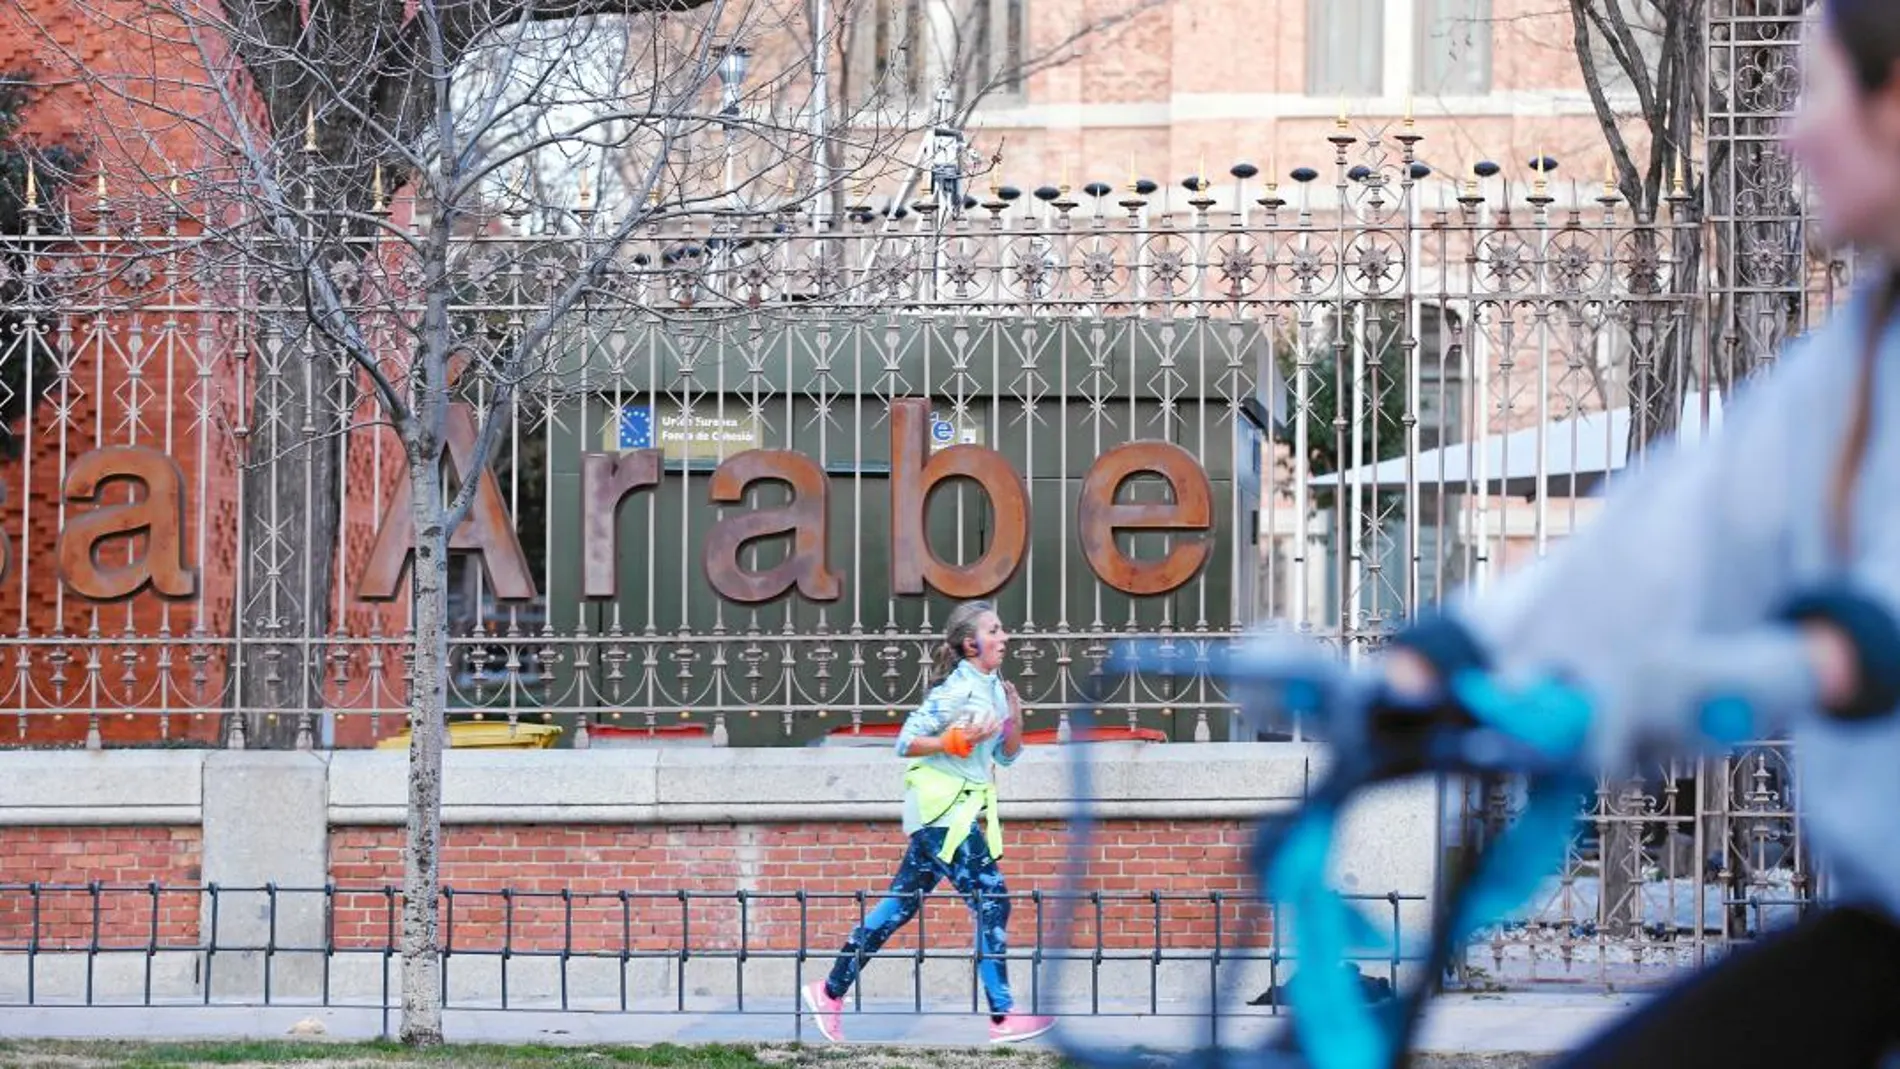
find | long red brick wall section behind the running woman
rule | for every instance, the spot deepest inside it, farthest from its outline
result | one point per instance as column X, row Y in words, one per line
column 831, row 863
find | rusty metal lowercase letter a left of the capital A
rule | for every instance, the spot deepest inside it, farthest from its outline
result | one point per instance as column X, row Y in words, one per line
column 159, row 516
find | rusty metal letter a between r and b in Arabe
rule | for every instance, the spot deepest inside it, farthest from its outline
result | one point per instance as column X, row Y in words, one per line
column 803, row 519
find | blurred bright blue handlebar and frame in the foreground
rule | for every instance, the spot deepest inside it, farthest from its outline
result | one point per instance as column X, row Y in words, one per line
column 1475, row 728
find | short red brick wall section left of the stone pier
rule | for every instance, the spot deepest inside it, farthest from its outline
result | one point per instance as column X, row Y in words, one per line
column 123, row 861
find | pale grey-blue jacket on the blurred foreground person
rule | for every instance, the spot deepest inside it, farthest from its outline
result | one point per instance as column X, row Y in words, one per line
column 1709, row 542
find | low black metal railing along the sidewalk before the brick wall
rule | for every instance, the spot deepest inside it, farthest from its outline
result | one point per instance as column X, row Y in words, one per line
column 641, row 952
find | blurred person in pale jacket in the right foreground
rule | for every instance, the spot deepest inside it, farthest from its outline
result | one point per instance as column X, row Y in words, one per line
column 1760, row 567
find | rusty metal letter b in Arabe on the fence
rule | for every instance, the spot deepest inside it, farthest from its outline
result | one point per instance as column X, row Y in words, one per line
column 913, row 481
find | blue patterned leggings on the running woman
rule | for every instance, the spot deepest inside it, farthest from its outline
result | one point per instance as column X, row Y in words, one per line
column 978, row 880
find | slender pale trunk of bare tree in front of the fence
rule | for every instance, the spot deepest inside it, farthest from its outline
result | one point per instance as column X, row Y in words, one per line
column 423, row 964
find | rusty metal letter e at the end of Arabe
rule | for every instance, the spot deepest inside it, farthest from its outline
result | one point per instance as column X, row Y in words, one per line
column 1099, row 517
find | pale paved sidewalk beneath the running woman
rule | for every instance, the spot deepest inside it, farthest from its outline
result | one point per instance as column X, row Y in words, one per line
column 1454, row 1024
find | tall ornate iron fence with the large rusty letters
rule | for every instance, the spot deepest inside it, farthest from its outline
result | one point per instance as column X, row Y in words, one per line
column 1272, row 337
